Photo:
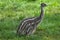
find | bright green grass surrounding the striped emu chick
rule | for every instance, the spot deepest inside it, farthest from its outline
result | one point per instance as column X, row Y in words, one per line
column 13, row 11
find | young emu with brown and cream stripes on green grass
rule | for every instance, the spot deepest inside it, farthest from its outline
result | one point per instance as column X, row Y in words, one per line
column 28, row 26
